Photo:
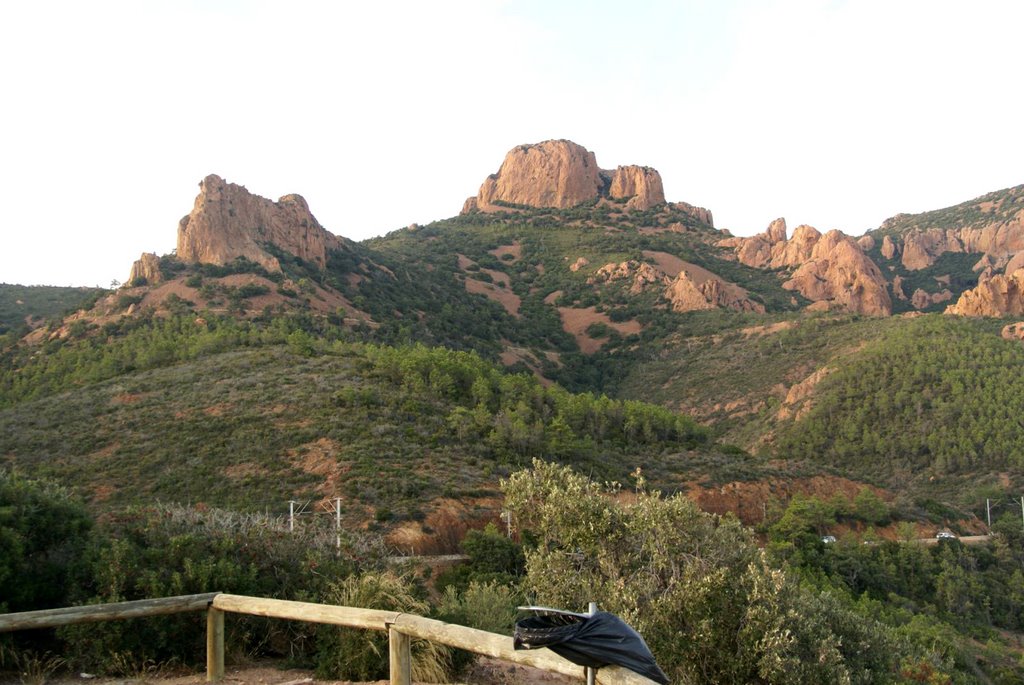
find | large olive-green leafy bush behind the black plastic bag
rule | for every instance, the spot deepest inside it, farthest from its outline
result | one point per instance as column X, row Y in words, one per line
column 712, row 607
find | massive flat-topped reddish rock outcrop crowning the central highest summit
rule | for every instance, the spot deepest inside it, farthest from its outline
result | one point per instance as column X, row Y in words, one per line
column 562, row 175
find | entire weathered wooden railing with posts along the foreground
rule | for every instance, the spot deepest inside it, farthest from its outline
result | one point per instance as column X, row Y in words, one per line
column 400, row 627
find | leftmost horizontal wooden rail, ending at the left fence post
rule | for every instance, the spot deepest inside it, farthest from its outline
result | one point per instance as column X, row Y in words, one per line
column 95, row 613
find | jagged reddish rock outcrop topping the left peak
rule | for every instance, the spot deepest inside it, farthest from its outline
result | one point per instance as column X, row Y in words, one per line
column 229, row 223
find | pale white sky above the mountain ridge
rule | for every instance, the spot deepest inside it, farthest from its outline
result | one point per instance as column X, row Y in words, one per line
column 837, row 114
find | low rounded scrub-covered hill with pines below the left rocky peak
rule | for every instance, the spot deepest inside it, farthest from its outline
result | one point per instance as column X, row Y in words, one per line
column 404, row 425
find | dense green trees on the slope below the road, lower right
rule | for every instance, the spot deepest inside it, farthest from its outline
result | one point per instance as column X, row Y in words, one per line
column 963, row 603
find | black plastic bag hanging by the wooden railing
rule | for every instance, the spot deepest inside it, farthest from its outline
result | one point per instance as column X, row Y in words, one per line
column 602, row 639
